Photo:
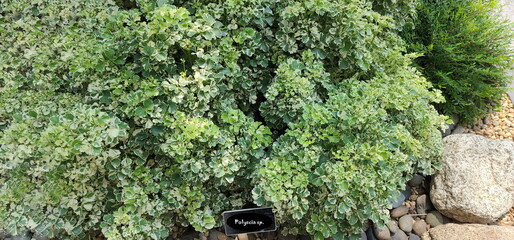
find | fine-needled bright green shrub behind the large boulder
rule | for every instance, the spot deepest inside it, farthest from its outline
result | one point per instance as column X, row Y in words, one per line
column 466, row 53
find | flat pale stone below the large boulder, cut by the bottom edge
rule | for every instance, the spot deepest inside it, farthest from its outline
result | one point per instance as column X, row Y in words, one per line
column 454, row 231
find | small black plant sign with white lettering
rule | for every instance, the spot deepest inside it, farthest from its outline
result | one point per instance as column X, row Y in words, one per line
column 251, row 220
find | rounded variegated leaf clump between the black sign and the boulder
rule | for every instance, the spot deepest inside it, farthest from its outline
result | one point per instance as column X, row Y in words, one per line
column 351, row 153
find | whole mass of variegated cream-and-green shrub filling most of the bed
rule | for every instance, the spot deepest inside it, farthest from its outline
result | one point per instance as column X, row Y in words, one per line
column 133, row 119
